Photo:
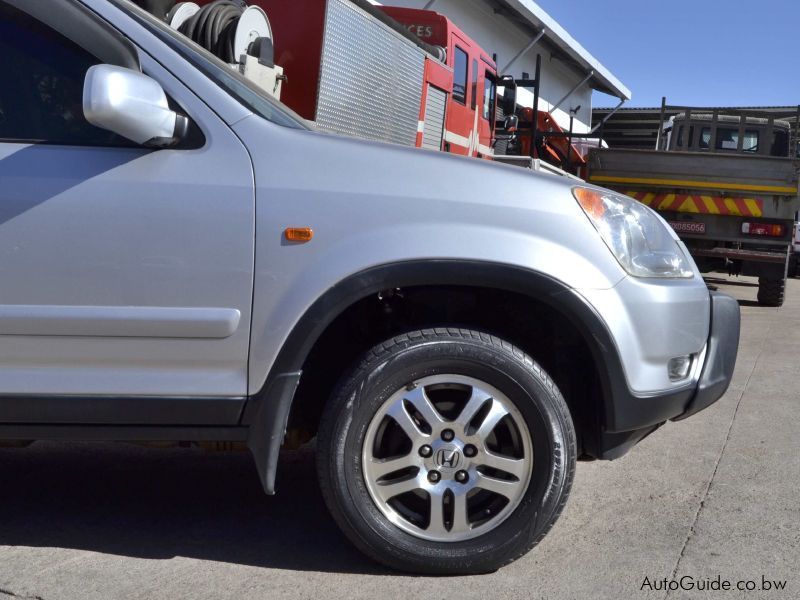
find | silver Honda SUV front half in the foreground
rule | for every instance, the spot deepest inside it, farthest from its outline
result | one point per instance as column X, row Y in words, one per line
column 183, row 259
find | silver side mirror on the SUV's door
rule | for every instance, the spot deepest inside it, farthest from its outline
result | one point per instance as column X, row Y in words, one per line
column 132, row 105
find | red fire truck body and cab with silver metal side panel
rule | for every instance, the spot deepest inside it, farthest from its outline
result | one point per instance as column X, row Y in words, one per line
column 401, row 75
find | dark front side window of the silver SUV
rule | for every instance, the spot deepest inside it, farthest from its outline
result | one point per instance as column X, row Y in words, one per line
column 41, row 95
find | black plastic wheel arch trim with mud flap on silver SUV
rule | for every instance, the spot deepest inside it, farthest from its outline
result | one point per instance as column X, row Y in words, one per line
column 267, row 411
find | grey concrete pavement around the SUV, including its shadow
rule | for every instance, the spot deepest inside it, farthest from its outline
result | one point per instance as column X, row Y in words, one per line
column 713, row 498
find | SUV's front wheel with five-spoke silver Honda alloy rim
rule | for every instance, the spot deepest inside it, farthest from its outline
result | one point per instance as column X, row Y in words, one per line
column 446, row 451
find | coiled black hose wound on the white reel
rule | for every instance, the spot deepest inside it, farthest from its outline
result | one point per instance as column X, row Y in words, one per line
column 214, row 27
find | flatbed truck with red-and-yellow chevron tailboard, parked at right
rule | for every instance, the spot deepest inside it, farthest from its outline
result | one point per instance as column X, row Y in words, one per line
column 726, row 181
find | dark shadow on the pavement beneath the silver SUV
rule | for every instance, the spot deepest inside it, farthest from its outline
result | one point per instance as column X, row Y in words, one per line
column 153, row 503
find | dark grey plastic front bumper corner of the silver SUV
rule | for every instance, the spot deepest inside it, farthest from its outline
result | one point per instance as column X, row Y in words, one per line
column 634, row 417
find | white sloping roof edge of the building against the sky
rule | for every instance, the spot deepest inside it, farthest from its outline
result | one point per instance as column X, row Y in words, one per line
column 558, row 36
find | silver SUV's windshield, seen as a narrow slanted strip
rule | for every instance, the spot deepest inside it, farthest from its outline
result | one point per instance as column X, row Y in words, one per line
column 244, row 91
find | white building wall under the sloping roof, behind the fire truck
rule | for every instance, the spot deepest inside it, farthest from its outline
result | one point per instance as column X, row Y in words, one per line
column 499, row 35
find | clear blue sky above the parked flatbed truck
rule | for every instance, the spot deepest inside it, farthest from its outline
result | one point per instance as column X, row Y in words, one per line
column 696, row 53
